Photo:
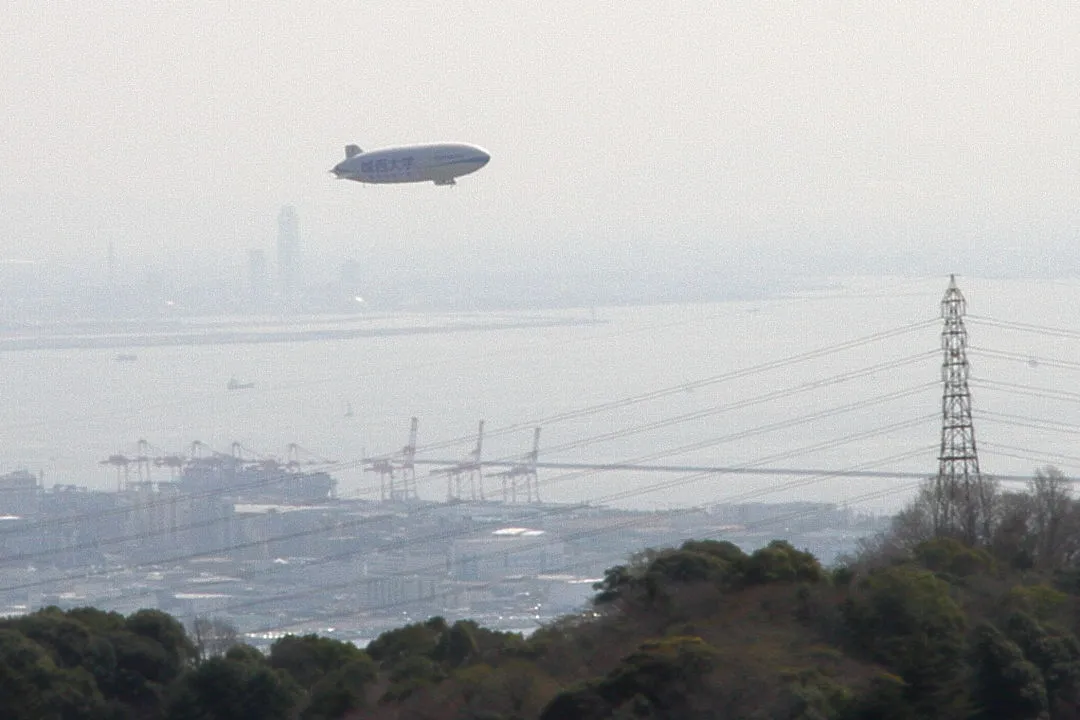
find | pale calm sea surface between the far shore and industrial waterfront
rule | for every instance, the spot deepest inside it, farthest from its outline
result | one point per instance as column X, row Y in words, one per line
column 741, row 385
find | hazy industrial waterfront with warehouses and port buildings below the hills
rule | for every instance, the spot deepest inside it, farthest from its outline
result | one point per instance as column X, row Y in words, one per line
column 269, row 549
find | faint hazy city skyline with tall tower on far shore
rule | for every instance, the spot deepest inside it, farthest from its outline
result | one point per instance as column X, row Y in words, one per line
column 109, row 286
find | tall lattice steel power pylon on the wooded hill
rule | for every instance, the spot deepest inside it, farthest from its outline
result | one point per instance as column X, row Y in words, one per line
column 958, row 477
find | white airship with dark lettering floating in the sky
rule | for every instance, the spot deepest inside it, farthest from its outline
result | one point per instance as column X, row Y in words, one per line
column 439, row 164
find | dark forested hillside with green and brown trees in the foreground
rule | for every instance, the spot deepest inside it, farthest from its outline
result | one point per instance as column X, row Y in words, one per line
column 969, row 608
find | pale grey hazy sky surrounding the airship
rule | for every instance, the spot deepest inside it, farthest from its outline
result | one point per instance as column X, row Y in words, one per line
column 938, row 137
